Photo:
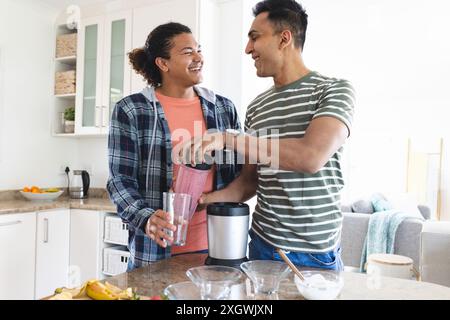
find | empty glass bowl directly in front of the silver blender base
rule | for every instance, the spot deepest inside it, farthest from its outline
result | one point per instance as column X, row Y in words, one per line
column 215, row 282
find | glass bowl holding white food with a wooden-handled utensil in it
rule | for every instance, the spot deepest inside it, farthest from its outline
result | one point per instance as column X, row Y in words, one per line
column 320, row 284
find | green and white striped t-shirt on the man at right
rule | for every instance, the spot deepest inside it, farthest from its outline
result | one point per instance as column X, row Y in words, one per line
column 298, row 211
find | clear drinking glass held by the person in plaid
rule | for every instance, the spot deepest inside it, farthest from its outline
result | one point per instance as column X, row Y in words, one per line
column 177, row 204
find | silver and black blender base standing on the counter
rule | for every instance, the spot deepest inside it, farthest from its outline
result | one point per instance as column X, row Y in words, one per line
column 227, row 224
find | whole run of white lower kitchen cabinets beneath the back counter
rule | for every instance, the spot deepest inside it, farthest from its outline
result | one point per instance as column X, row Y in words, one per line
column 44, row 250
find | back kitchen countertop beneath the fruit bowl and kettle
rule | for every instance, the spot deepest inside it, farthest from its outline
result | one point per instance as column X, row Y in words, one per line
column 13, row 202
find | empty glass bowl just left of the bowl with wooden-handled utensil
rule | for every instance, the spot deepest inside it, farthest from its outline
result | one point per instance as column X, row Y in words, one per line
column 265, row 276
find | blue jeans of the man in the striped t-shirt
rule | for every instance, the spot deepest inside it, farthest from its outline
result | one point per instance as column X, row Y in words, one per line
column 261, row 250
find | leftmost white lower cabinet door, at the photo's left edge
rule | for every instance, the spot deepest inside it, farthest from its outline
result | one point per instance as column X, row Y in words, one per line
column 17, row 256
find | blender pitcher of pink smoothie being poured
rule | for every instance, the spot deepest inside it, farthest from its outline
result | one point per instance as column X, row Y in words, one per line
column 191, row 180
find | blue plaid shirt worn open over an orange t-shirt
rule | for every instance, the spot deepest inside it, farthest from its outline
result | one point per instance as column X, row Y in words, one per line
column 130, row 135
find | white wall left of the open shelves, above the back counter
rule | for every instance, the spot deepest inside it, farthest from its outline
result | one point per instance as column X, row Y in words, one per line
column 29, row 155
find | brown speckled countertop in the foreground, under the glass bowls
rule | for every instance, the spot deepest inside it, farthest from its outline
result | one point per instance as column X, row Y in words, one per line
column 151, row 280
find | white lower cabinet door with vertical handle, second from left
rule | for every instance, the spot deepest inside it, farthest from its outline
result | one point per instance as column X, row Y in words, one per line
column 52, row 251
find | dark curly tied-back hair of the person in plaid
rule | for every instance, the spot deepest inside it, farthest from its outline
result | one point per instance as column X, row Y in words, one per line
column 158, row 44
